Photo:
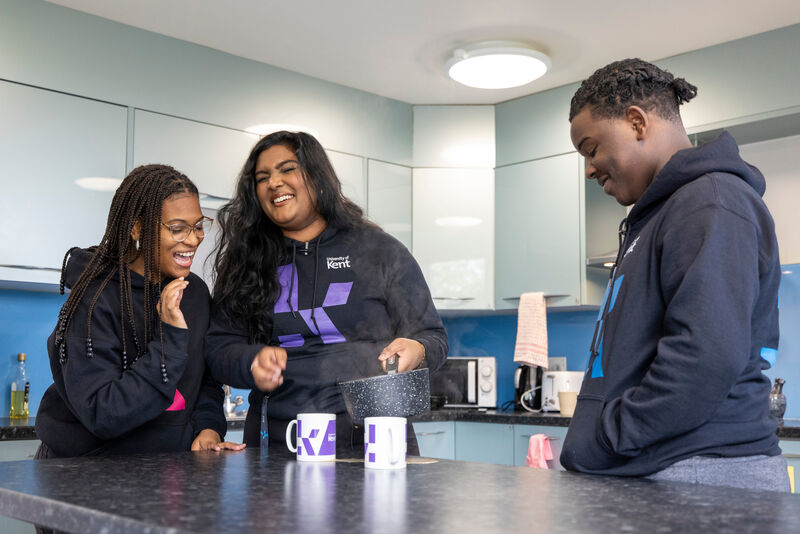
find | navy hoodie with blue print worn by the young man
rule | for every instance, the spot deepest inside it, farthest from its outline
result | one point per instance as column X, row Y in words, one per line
column 691, row 322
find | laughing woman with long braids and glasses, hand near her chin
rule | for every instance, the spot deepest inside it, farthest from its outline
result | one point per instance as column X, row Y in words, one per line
column 127, row 353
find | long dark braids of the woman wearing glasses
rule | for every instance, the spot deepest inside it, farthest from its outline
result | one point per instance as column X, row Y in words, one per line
column 138, row 199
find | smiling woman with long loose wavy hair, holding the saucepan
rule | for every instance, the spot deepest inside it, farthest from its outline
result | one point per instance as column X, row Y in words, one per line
column 308, row 293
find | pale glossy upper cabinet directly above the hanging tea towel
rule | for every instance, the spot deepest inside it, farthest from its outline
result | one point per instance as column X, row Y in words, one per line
column 538, row 231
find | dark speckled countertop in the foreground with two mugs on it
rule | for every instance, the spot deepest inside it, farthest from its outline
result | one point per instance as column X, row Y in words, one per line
column 246, row 492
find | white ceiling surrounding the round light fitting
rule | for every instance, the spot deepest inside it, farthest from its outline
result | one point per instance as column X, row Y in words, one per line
column 397, row 48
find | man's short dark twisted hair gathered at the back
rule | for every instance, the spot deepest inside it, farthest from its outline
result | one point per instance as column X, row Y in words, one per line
column 615, row 87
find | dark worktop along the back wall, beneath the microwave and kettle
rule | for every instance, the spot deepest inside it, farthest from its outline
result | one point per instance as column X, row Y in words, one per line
column 23, row 429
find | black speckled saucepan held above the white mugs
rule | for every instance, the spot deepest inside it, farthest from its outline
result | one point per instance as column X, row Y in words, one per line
column 394, row 395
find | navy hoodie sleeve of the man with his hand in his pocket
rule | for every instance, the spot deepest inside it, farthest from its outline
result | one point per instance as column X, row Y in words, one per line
column 709, row 277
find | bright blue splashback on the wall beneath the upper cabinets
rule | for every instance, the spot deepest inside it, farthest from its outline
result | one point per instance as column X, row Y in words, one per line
column 27, row 318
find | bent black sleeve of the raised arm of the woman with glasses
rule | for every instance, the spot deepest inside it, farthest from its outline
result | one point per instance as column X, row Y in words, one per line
column 108, row 401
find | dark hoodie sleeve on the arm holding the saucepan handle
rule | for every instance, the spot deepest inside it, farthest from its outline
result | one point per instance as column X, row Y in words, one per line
column 409, row 303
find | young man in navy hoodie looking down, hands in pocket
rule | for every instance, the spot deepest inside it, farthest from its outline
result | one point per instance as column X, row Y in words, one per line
column 674, row 388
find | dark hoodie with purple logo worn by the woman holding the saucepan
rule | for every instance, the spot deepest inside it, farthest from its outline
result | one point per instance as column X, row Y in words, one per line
column 361, row 289
